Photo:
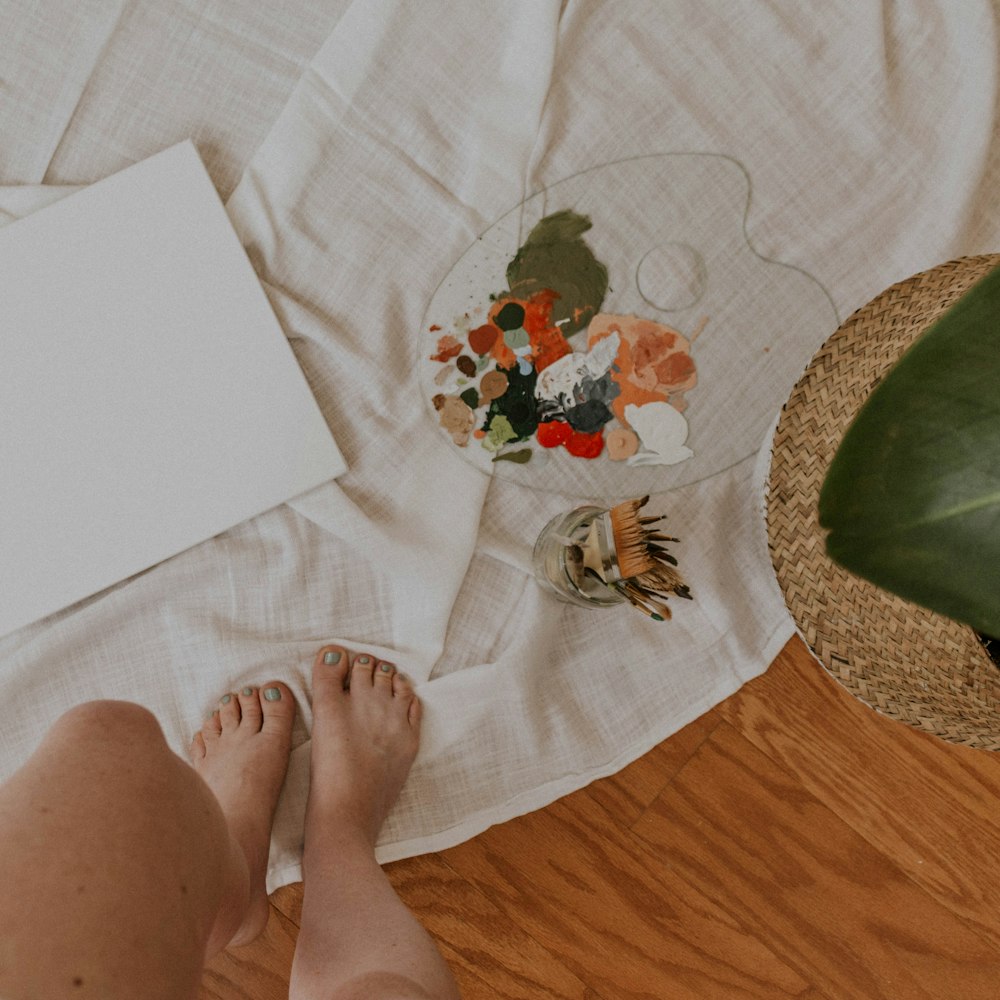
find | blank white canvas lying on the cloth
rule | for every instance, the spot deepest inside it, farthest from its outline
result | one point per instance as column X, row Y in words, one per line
column 150, row 397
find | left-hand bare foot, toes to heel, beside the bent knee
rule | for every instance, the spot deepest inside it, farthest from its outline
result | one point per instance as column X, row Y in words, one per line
column 242, row 753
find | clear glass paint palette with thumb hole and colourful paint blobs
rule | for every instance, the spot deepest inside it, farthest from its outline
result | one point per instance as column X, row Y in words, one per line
column 616, row 334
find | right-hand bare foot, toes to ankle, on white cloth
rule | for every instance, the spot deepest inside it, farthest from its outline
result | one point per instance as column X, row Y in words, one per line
column 366, row 731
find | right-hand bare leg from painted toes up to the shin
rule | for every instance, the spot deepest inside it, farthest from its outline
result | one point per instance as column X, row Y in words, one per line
column 358, row 941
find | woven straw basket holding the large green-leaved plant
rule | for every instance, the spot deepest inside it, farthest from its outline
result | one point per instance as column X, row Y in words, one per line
column 905, row 662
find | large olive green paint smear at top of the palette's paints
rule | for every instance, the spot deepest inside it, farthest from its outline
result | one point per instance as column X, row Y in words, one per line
column 555, row 256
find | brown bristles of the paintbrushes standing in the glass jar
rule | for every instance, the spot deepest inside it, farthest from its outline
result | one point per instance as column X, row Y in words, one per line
column 646, row 567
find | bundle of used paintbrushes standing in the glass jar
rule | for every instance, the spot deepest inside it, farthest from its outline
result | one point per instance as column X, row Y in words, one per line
column 626, row 551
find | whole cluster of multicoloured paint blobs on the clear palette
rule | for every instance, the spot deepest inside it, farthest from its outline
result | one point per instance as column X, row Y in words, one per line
column 518, row 382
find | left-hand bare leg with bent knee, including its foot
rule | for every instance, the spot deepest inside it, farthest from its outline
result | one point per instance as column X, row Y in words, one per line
column 122, row 869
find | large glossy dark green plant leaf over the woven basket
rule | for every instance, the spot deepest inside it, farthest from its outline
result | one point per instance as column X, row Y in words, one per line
column 912, row 497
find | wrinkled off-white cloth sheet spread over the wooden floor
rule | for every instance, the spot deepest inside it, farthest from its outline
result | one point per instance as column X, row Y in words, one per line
column 366, row 148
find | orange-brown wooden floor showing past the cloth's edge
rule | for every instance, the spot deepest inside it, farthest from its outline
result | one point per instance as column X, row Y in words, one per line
column 791, row 843
